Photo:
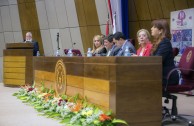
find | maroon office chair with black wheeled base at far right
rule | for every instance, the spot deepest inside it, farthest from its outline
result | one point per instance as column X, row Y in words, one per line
column 186, row 68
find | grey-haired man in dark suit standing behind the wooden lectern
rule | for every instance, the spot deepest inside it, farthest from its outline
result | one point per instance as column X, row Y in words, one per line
column 35, row 43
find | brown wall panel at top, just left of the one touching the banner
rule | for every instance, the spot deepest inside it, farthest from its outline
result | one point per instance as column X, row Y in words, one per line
column 155, row 9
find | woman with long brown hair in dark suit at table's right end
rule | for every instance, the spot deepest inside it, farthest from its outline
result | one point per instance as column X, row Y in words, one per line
column 162, row 47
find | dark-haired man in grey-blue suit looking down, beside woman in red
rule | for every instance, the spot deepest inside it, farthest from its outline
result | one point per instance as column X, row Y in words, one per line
column 122, row 43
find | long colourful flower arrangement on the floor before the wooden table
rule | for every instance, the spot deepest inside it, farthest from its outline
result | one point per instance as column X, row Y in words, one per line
column 71, row 111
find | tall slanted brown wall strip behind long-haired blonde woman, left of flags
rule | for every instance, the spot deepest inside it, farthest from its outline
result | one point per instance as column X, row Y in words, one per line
column 88, row 21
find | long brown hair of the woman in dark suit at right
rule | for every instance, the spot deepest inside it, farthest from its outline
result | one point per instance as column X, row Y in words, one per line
column 163, row 25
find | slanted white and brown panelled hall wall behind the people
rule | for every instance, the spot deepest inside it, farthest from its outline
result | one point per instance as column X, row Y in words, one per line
column 76, row 21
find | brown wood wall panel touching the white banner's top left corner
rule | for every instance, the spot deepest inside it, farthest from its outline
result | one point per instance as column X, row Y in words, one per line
column 167, row 6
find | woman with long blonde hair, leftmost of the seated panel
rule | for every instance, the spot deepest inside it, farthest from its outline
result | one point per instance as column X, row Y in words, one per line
column 98, row 47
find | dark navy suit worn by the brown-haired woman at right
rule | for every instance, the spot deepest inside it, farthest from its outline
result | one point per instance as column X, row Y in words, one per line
column 165, row 50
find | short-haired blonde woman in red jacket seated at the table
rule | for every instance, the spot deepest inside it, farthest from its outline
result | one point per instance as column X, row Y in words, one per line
column 143, row 37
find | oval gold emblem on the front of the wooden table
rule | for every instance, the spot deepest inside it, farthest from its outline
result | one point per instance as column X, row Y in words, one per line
column 60, row 77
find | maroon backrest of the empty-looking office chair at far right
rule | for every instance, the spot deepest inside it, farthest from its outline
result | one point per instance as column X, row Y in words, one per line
column 186, row 65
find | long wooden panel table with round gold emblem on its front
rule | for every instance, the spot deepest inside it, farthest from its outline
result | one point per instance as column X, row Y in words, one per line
column 131, row 87
